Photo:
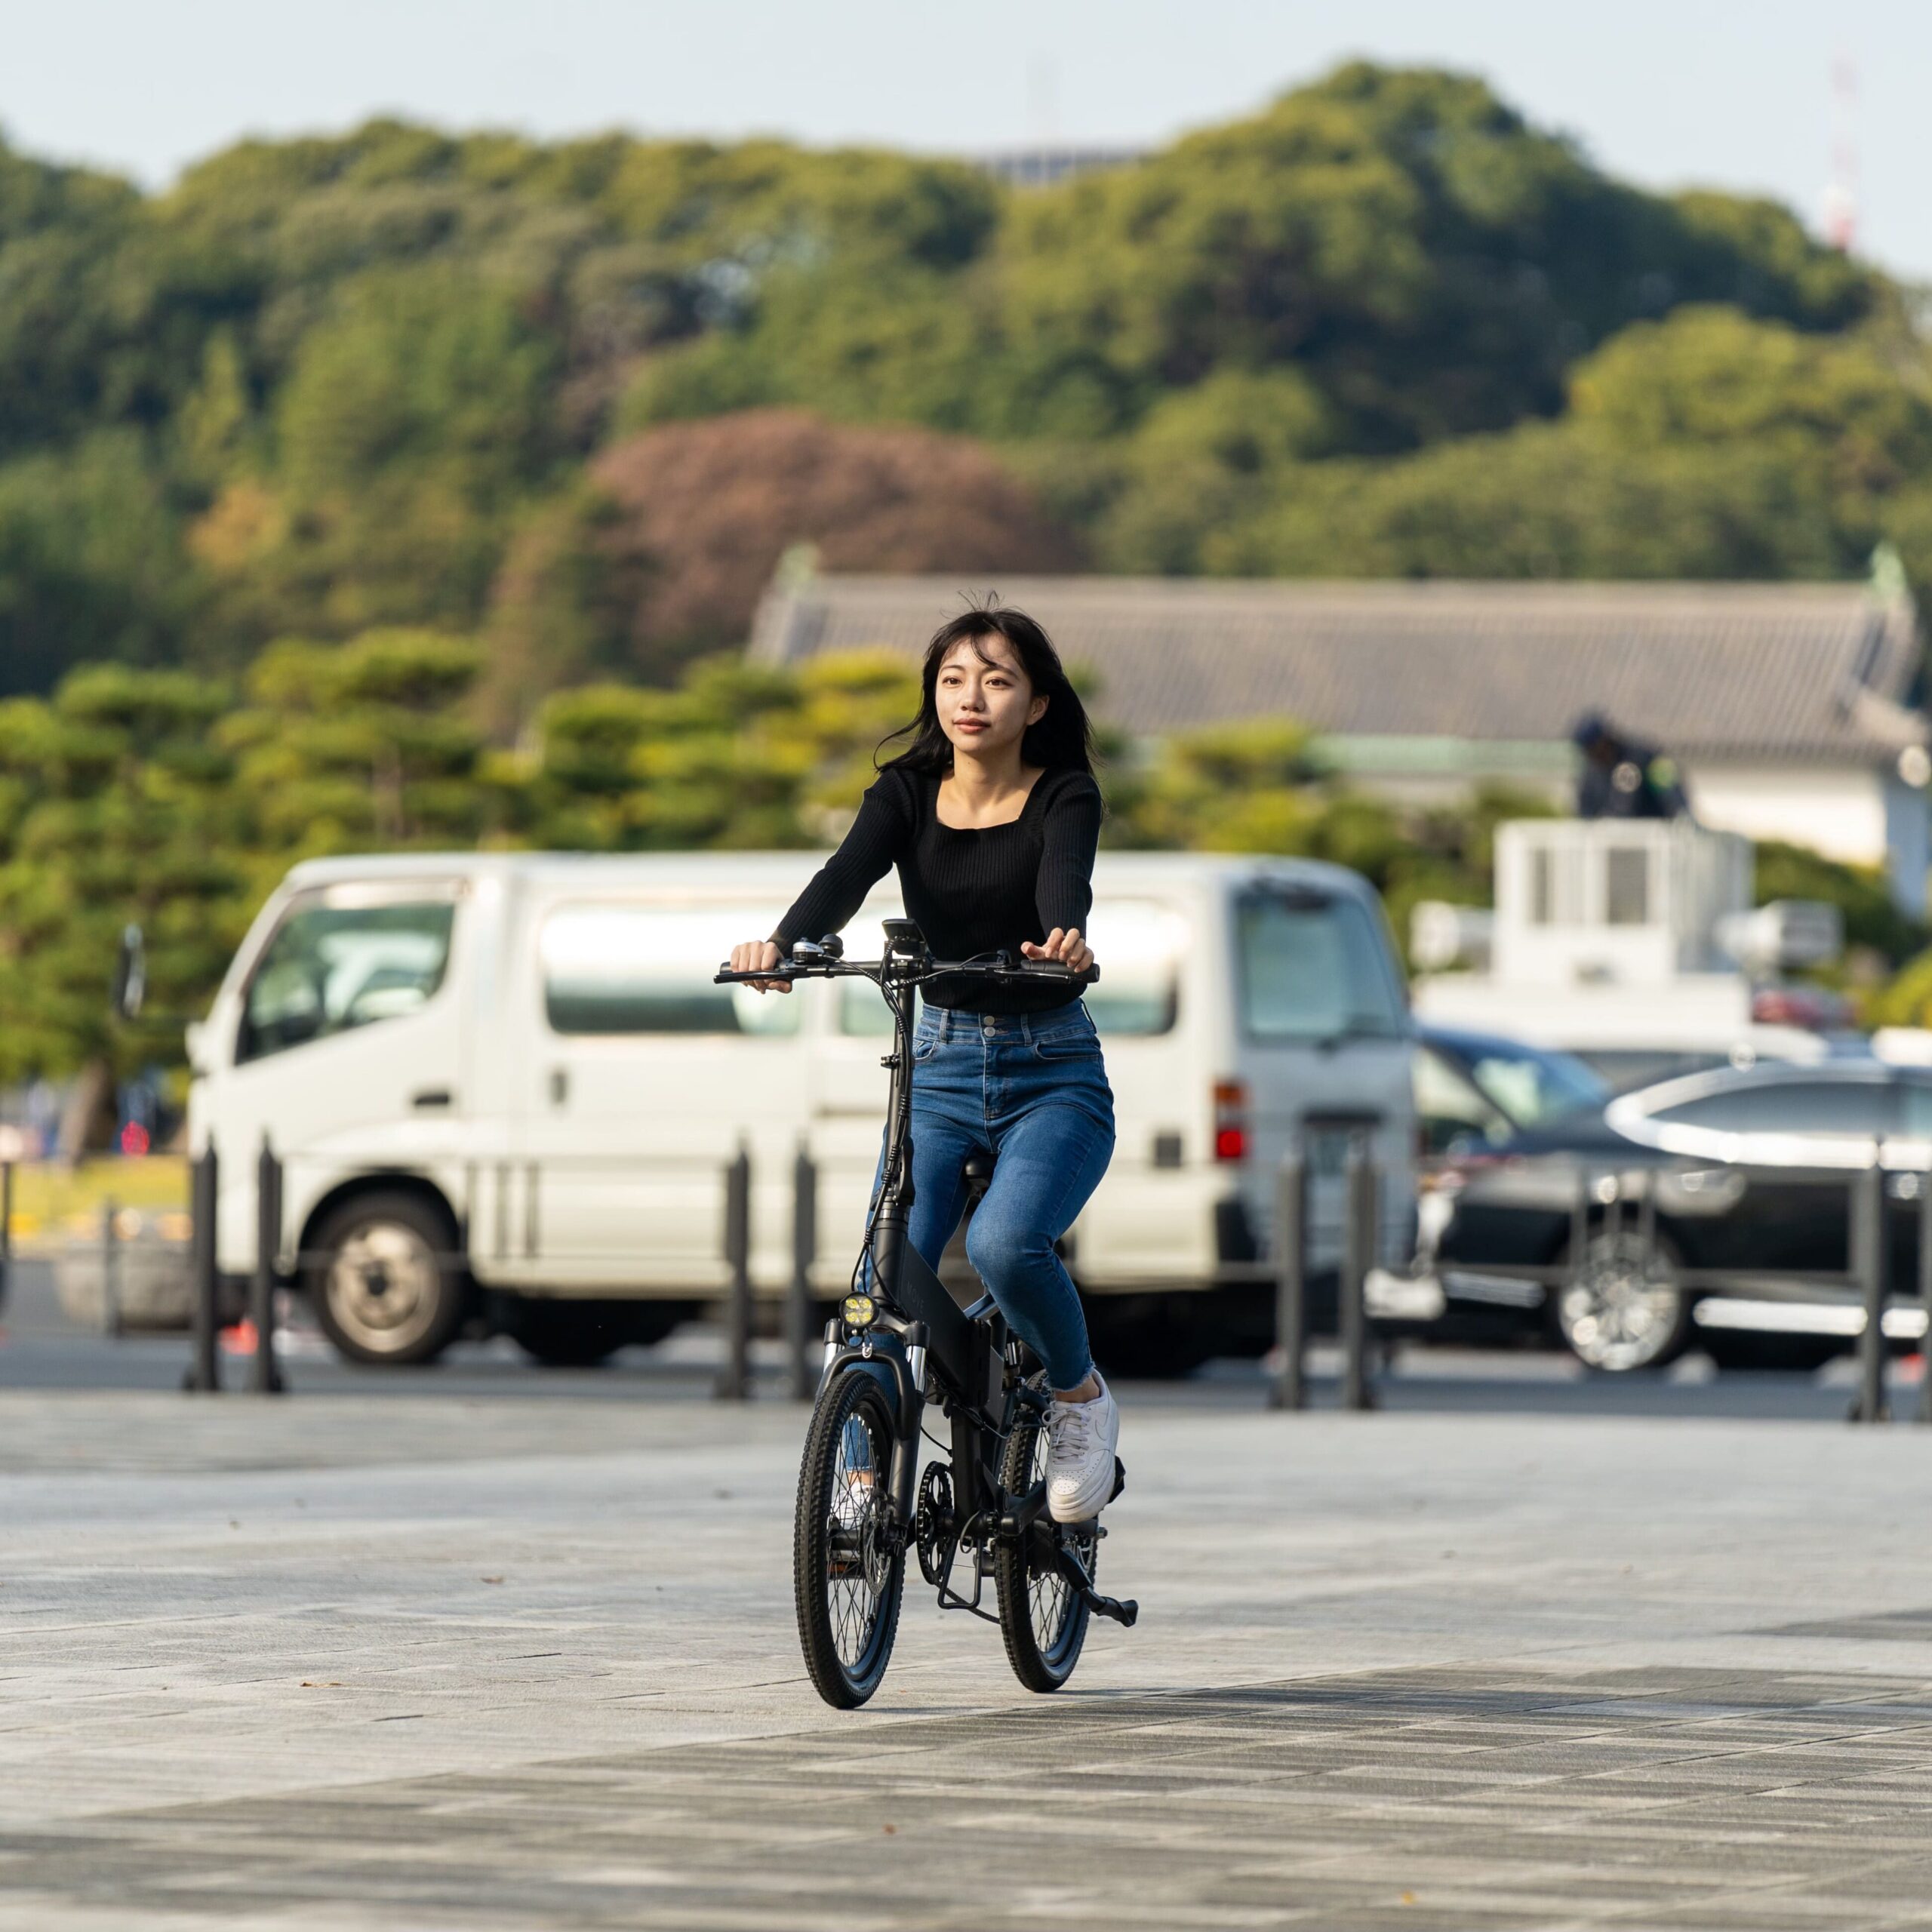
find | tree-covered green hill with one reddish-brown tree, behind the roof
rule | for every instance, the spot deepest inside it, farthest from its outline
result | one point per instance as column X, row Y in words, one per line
column 579, row 399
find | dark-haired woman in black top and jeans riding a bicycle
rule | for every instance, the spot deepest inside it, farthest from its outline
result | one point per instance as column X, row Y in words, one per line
column 992, row 818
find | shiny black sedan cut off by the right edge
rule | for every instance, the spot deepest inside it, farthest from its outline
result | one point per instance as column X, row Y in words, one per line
column 1749, row 1176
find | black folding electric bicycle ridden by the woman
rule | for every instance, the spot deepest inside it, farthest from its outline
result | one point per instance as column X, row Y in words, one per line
column 897, row 1344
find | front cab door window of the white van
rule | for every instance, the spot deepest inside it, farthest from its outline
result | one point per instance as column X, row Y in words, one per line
column 333, row 969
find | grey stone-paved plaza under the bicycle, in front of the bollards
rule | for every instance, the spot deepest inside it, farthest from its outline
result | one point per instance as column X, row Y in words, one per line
column 422, row 1662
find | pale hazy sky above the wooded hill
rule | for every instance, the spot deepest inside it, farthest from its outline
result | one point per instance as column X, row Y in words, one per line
column 1732, row 94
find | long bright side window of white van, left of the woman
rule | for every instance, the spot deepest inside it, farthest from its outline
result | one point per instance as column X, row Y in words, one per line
column 613, row 969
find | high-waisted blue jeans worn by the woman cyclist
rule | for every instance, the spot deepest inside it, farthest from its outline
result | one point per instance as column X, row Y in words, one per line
column 1033, row 1093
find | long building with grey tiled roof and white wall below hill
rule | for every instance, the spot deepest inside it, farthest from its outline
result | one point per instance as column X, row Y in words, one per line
column 1792, row 706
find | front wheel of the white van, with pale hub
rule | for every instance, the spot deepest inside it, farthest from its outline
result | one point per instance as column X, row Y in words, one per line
column 385, row 1284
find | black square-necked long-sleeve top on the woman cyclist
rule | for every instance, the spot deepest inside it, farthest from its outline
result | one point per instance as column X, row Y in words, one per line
column 969, row 892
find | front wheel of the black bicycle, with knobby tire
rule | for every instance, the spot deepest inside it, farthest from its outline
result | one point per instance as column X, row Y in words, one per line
column 847, row 1576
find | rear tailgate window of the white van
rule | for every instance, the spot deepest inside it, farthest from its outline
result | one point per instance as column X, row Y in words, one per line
column 1315, row 969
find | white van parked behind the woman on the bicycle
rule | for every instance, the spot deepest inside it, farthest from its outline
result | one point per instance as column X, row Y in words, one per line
column 505, row 1091
